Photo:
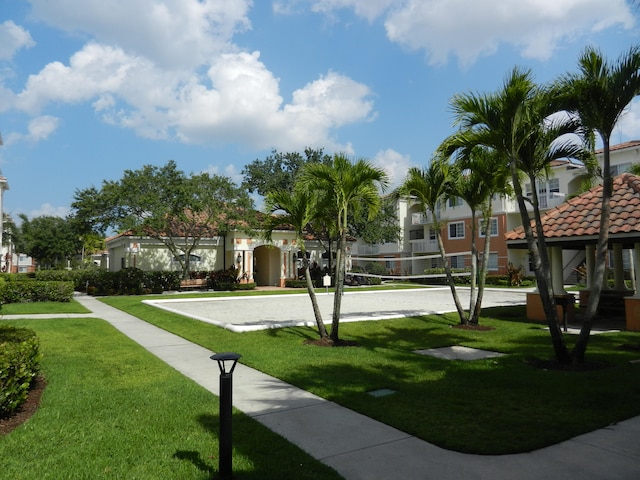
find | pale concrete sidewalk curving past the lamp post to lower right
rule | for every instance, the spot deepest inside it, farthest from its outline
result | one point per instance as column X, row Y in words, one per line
column 360, row 448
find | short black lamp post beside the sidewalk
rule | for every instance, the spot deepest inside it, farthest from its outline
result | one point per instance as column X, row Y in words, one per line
column 227, row 363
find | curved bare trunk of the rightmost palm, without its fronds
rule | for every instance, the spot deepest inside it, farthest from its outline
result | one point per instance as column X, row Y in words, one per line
column 597, row 285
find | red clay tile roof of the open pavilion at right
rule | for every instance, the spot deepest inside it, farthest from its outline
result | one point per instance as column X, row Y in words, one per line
column 580, row 216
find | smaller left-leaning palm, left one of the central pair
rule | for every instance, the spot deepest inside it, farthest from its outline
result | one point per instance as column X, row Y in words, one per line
column 299, row 211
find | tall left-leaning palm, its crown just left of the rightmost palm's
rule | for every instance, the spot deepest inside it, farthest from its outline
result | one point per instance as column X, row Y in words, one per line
column 514, row 122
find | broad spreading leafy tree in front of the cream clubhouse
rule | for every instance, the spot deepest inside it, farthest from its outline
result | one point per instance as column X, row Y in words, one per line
column 165, row 204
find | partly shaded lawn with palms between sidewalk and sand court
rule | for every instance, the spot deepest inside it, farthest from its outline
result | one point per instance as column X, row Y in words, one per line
column 494, row 406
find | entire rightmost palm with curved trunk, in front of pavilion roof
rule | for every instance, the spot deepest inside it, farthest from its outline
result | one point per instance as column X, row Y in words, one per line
column 599, row 94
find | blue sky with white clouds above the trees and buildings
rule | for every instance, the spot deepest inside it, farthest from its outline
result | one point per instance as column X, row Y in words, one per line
column 89, row 88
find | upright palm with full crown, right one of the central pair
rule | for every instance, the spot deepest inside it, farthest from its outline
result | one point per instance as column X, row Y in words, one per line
column 347, row 186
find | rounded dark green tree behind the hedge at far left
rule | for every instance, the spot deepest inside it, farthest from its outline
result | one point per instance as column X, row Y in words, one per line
column 51, row 241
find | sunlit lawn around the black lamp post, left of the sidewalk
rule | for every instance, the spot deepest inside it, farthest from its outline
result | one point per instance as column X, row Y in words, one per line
column 113, row 410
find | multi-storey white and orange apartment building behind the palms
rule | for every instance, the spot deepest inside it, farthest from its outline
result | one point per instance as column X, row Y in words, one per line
column 418, row 243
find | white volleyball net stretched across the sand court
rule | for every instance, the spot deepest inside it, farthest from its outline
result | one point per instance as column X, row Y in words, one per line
column 409, row 268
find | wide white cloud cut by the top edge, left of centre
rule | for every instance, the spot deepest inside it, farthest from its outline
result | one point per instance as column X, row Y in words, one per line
column 170, row 33
